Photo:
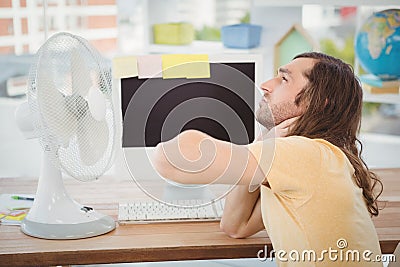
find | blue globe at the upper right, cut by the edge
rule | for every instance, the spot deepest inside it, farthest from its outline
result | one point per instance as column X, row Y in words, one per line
column 377, row 44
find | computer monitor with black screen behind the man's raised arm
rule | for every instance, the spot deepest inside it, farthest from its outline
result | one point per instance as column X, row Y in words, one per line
column 156, row 109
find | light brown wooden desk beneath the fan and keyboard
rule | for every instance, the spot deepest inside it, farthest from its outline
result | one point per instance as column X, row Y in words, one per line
column 155, row 242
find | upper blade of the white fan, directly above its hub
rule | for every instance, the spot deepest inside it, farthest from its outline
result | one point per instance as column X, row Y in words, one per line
column 80, row 74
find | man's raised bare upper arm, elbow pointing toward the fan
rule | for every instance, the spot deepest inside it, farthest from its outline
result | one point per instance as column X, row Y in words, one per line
column 194, row 157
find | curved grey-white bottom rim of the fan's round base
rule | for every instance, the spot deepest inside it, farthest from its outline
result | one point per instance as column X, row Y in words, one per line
column 68, row 231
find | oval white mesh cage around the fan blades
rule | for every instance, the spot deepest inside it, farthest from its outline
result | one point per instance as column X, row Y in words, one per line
column 54, row 103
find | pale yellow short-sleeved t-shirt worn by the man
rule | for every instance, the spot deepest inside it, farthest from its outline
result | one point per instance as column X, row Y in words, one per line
column 313, row 211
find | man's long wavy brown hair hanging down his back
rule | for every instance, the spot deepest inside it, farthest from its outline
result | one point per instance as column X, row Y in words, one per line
column 333, row 100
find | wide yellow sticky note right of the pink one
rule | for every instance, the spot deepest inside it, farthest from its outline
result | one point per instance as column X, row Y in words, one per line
column 185, row 66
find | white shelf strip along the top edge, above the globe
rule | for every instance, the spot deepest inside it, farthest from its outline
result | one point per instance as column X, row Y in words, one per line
column 284, row 3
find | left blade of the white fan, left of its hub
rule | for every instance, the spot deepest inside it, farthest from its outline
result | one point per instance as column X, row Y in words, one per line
column 56, row 115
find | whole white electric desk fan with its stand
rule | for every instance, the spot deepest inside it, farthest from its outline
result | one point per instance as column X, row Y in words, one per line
column 70, row 110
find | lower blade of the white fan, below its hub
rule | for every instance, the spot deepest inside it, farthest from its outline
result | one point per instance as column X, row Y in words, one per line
column 92, row 139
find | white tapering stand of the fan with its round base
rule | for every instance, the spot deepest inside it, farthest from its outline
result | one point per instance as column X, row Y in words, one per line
column 54, row 215
